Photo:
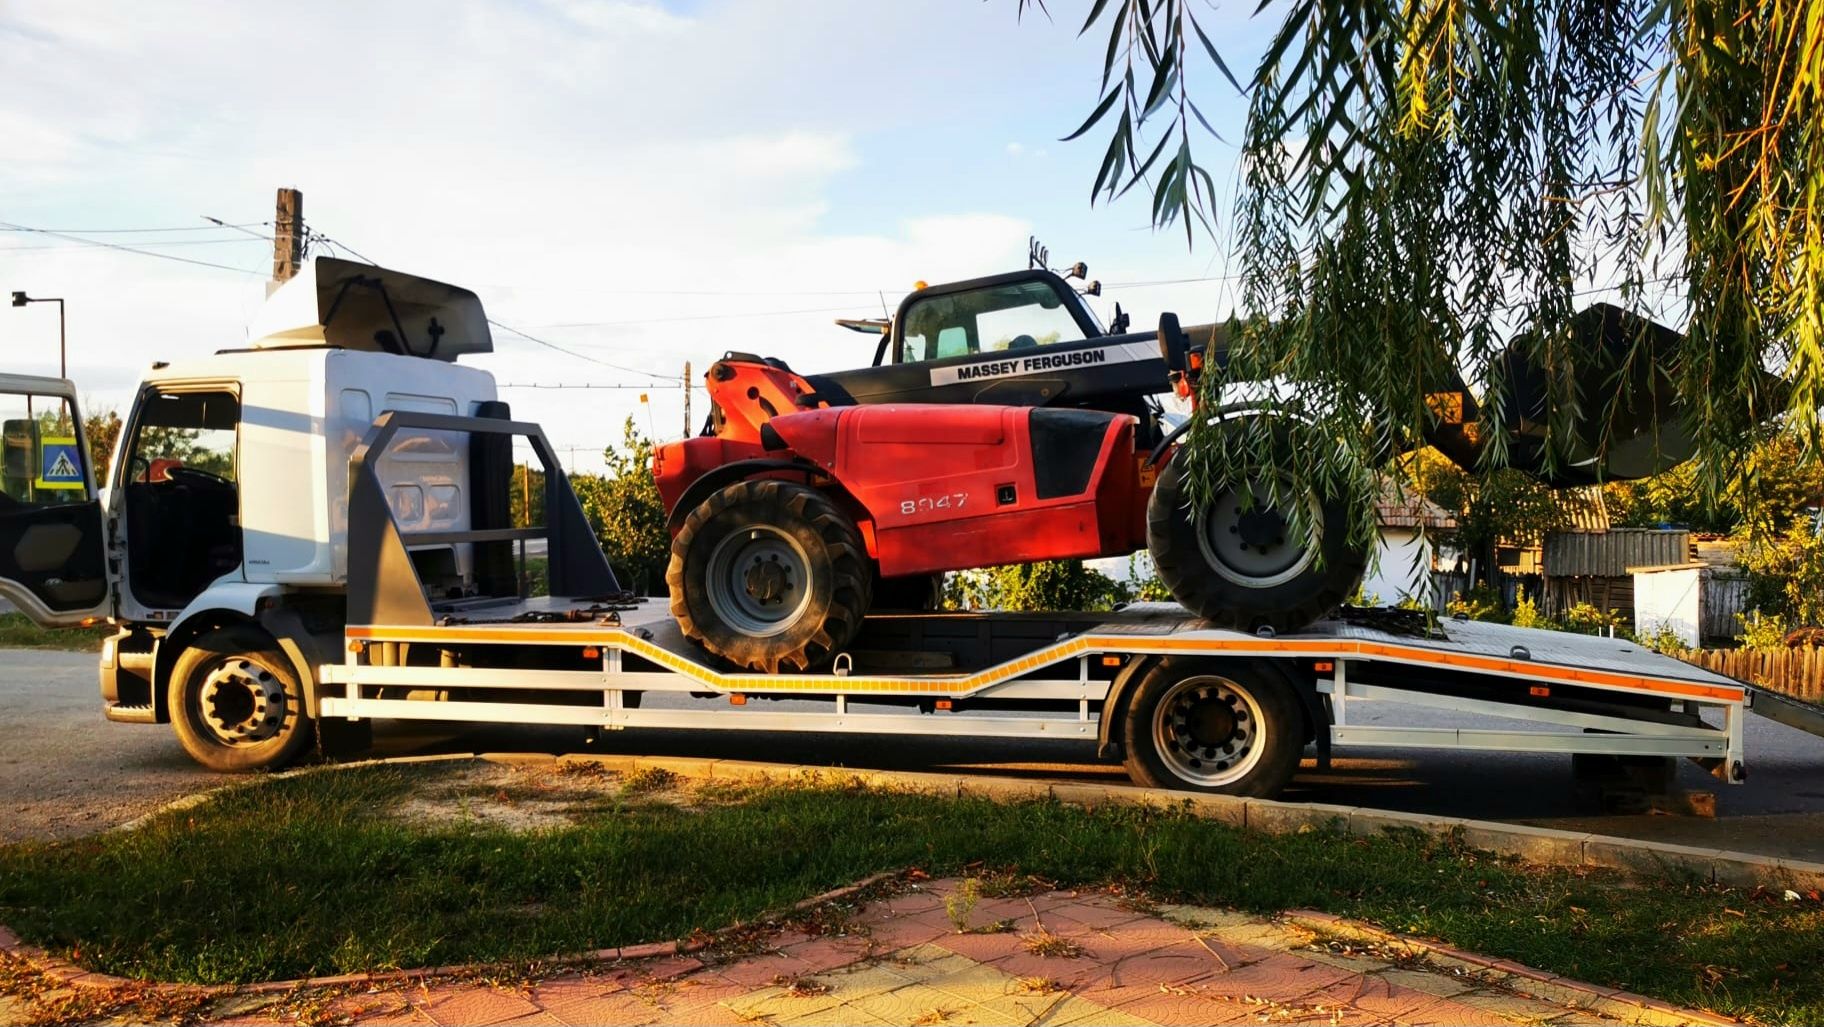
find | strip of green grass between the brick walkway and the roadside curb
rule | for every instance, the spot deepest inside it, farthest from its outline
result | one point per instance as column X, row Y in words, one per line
column 307, row 877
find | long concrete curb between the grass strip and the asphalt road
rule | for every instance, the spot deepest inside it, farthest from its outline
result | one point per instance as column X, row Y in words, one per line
column 1533, row 845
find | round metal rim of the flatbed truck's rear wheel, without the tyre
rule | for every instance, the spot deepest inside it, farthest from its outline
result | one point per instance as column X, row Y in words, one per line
column 1208, row 732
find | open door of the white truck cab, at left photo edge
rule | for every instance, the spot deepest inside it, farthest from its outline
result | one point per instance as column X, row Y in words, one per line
column 54, row 563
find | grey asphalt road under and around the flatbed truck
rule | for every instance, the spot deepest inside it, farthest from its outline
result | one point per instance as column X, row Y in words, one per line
column 65, row 771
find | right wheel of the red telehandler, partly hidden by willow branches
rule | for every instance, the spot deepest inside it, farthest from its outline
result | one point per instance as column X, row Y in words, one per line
column 1243, row 566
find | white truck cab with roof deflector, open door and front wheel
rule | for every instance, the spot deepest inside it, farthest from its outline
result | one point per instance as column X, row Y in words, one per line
column 218, row 539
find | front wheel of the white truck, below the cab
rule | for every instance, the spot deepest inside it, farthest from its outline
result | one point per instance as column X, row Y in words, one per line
column 236, row 703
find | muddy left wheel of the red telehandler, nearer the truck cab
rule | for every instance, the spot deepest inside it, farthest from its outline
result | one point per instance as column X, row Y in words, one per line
column 769, row 576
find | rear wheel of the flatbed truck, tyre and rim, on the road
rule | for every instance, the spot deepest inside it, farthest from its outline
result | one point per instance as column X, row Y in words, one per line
column 1214, row 727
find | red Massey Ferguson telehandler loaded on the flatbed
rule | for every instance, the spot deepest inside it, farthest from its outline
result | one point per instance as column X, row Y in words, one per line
column 1000, row 424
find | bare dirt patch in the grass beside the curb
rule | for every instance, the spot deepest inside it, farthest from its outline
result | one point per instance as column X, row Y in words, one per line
column 535, row 796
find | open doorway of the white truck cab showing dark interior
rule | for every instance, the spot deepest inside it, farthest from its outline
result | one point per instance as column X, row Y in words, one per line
column 183, row 510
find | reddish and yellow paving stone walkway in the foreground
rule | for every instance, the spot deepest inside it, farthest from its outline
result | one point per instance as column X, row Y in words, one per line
column 1053, row 959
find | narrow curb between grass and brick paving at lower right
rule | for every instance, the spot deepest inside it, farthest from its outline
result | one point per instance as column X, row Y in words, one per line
column 1509, row 975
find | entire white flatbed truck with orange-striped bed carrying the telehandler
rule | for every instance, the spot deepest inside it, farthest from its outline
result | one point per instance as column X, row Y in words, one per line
column 311, row 534
